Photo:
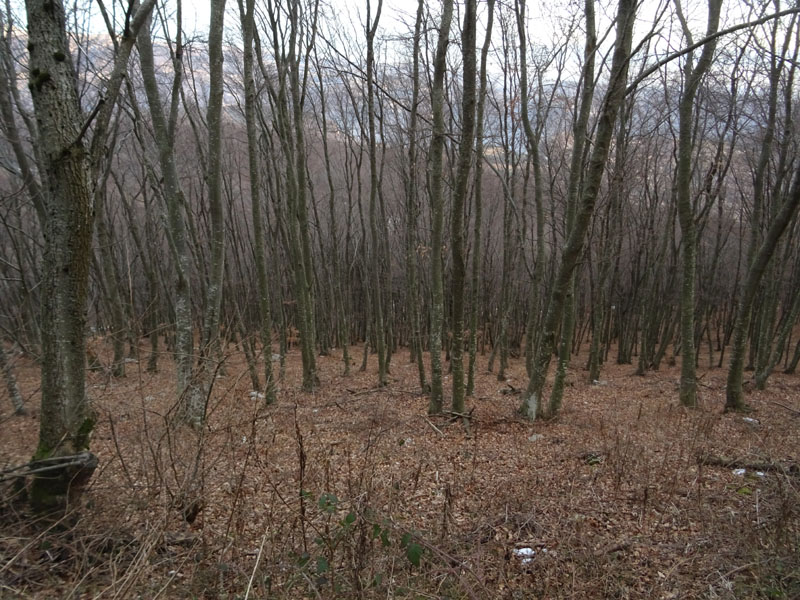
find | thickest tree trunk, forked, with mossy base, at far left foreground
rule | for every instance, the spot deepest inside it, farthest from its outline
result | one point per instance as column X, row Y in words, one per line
column 67, row 160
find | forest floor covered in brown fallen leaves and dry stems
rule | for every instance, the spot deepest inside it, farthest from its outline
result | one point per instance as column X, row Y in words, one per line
column 352, row 491
